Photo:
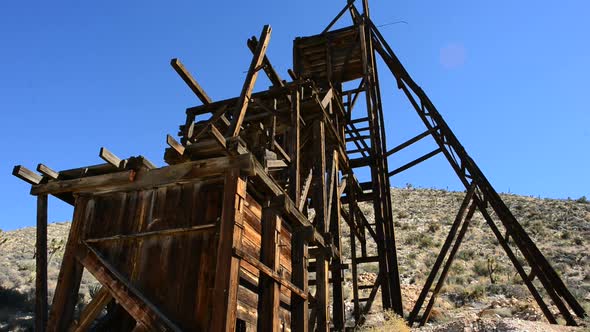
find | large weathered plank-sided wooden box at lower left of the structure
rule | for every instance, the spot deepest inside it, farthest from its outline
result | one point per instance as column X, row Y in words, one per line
column 179, row 248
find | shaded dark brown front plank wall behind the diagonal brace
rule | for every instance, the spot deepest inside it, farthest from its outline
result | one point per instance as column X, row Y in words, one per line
column 174, row 272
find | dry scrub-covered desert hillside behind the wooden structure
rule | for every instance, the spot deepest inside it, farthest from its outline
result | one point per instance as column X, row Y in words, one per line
column 482, row 293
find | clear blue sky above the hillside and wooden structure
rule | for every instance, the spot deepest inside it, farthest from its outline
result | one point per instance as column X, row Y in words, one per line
column 510, row 77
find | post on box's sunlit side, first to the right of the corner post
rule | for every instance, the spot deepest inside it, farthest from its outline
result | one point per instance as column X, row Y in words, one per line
column 269, row 295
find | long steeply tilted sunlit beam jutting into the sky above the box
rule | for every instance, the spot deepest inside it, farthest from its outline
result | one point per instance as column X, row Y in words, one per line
column 244, row 99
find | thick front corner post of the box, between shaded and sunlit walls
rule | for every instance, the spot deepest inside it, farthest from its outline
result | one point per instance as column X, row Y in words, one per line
column 227, row 267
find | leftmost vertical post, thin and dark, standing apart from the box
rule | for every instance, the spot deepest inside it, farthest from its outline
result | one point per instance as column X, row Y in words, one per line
column 41, row 262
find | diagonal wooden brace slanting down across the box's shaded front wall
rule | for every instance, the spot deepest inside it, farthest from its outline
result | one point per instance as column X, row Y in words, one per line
column 129, row 297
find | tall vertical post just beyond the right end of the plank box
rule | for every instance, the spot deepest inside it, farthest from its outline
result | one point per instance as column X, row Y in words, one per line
column 319, row 199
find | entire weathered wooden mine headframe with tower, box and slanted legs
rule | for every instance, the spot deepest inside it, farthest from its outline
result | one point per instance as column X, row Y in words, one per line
column 243, row 229
